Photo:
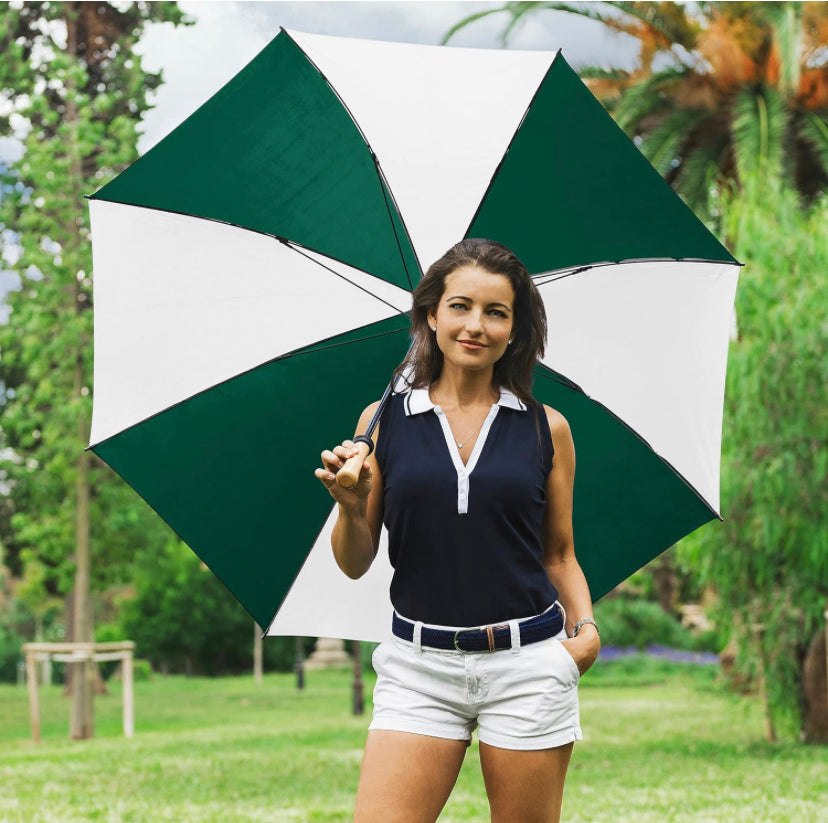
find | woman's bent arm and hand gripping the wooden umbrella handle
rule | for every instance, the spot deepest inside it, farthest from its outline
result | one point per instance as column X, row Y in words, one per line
column 355, row 536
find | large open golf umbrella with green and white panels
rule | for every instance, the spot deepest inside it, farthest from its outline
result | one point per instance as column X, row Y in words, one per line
column 252, row 281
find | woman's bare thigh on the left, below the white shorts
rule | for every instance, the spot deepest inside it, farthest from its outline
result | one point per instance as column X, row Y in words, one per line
column 406, row 778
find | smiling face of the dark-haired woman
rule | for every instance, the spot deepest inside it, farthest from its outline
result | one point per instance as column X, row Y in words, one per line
column 474, row 317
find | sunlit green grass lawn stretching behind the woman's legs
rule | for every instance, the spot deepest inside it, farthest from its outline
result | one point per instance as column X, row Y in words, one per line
column 663, row 743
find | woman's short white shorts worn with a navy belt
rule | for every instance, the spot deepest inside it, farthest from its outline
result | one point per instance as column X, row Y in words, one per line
column 524, row 698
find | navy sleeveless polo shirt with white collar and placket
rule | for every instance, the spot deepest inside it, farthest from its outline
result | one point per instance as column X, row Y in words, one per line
column 465, row 541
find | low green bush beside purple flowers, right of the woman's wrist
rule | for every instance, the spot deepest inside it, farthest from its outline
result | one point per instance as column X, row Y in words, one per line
column 626, row 622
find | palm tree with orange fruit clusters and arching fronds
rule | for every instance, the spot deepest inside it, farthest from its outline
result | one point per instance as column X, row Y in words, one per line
column 722, row 93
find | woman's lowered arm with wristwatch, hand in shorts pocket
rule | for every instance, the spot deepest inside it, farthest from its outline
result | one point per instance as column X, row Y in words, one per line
column 559, row 546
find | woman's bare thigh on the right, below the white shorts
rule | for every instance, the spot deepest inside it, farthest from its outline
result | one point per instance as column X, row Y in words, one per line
column 525, row 786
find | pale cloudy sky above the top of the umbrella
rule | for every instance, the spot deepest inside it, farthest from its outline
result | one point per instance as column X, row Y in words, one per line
column 198, row 60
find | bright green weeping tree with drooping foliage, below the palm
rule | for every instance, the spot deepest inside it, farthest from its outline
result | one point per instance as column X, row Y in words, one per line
column 768, row 561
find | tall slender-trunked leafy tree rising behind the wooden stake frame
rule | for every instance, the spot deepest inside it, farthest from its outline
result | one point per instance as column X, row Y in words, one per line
column 76, row 91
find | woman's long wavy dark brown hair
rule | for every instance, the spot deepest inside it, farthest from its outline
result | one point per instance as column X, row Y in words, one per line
column 514, row 370
